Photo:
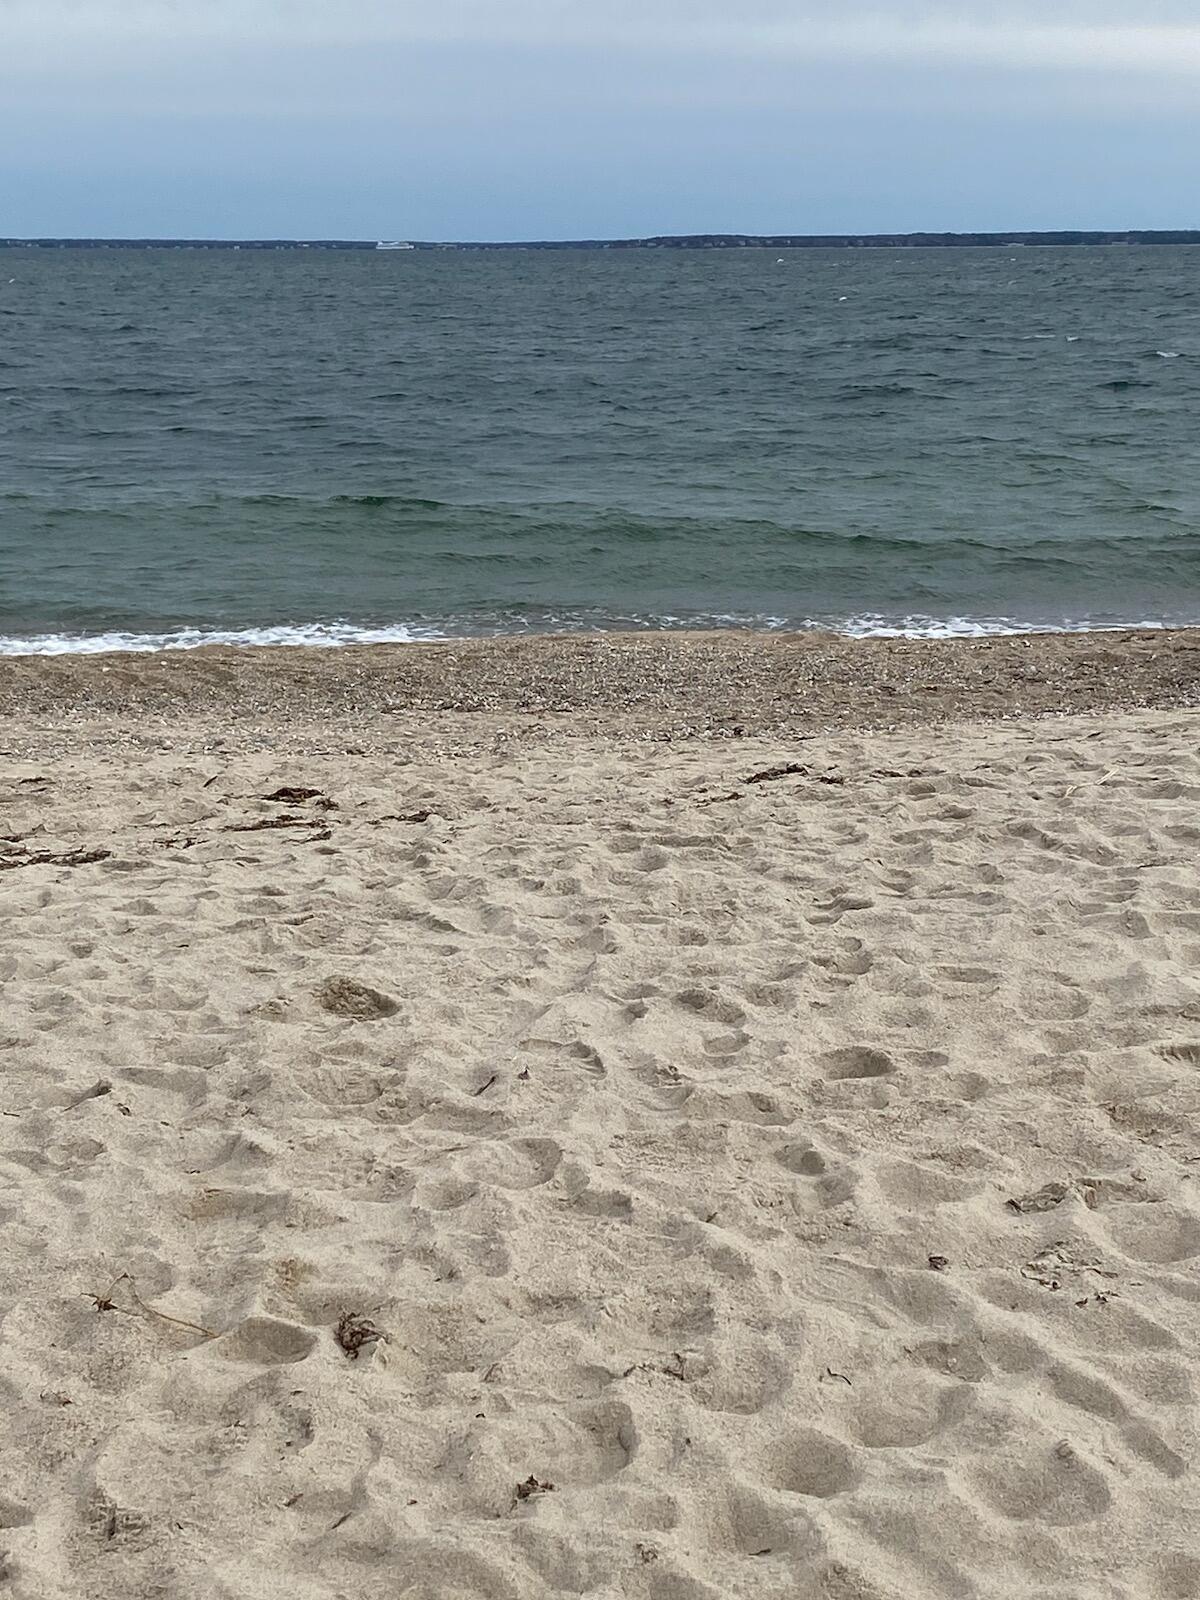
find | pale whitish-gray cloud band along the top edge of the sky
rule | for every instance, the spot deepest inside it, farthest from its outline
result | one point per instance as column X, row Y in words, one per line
column 1087, row 36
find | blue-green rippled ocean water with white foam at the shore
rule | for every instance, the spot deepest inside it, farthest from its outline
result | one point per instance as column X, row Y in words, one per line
column 316, row 447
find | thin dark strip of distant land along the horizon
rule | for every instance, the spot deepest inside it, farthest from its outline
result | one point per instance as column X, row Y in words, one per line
column 922, row 241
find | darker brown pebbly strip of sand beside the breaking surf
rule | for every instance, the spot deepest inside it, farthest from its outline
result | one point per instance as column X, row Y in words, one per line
column 626, row 686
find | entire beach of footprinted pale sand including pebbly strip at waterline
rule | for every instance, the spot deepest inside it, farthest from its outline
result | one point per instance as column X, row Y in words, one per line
column 641, row 1118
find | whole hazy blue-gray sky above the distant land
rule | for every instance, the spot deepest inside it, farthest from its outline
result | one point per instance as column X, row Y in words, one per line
column 578, row 119
